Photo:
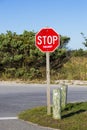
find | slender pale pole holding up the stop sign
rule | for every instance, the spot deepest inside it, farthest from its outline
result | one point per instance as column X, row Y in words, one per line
column 48, row 82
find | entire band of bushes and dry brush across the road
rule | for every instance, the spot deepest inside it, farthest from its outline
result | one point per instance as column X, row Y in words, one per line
column 20, row 59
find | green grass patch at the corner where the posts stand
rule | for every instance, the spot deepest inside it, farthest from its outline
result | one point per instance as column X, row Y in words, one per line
column 74, row 117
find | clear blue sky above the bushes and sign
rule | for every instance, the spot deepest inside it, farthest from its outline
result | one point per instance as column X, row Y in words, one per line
column 67, row 17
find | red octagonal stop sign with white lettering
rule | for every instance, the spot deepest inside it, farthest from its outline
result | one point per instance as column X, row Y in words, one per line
column 47, row 40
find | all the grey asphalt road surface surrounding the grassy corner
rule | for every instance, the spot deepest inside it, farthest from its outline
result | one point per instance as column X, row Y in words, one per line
column 15, row 98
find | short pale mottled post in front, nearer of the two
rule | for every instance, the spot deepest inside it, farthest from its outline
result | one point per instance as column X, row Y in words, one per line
column 57, row 103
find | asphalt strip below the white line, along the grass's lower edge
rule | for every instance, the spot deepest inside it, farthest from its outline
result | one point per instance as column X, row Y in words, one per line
column 20, row 125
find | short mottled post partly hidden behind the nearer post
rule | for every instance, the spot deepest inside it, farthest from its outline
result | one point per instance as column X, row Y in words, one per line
column 63, row 95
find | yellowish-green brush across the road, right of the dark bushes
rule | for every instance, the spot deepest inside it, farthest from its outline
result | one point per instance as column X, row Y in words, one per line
column 74, row 69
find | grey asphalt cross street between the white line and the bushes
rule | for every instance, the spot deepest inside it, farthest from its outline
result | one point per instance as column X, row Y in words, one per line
column 16, row 98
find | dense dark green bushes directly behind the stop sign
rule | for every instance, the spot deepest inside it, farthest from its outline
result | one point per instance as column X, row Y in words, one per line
column 19, row 58
